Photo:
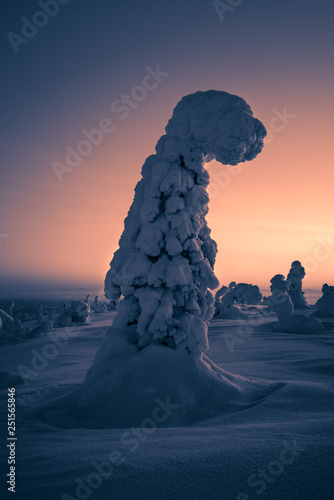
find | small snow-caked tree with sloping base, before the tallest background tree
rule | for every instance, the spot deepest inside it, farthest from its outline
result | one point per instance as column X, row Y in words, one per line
column 281, row 304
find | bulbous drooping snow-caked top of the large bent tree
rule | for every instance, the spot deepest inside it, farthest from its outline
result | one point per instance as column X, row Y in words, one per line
column 216, row 124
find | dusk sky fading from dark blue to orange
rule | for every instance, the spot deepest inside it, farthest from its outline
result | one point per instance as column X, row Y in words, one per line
column 277, row 55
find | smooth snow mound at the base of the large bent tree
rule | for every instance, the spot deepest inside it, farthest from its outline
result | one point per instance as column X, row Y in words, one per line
column 155, row 387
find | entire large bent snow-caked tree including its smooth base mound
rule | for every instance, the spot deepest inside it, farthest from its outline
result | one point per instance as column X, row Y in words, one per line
column 153, row 355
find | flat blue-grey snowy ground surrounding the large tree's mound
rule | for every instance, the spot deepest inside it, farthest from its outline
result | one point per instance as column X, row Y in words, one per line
column 280, row 448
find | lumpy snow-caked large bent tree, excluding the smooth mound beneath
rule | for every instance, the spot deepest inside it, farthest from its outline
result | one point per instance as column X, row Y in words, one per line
column 164, row 265
